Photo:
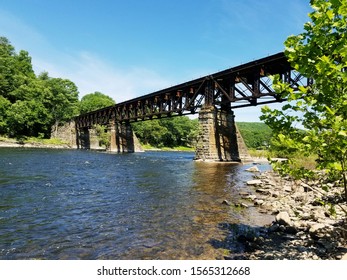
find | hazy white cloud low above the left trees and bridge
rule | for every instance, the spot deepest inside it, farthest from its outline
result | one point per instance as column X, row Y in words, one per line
column 91, row 73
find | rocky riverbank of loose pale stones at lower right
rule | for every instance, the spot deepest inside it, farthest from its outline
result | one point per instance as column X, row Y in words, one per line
column 309, row 223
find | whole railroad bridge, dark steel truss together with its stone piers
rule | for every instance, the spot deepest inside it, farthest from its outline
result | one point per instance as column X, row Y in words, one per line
column 214, row 97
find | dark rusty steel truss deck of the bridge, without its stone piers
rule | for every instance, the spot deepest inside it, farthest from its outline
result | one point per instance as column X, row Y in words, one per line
column 237, row 87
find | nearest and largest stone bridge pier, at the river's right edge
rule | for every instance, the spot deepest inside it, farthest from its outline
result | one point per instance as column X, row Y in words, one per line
column 218, row 136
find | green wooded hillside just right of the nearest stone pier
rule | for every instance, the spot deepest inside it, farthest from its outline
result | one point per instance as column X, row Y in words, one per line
column 256, row 135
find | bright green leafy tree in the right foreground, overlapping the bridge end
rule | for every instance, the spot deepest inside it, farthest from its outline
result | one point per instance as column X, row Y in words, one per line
column 320, row 53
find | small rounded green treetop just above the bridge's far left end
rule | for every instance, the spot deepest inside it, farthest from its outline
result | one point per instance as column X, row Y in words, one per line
column 95, row 101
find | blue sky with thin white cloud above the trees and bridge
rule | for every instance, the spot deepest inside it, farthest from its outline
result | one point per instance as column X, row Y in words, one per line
column 133, row 47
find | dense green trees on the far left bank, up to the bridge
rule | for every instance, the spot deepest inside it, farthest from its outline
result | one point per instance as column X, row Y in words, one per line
column 30, row 104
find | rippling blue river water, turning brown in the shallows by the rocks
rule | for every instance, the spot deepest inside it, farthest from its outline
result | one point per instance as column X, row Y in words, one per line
column 73, row 204
